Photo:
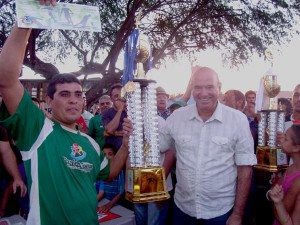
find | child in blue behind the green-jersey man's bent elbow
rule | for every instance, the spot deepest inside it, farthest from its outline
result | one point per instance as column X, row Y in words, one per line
column 113, row 190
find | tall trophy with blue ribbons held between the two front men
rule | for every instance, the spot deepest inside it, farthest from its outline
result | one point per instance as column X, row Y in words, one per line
column 145, row 177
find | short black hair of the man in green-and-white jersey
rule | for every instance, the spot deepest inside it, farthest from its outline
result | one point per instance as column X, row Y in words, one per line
column 60, row 79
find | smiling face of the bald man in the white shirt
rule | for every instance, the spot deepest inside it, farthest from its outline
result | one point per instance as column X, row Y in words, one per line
column 206, row 90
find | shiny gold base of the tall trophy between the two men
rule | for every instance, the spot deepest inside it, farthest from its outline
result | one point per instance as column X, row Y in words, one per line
column 146, row 185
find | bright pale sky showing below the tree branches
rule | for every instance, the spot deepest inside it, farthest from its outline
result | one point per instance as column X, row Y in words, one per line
column 174, row 76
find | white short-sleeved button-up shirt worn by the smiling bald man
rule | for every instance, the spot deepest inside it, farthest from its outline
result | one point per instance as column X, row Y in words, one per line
column 208, row 154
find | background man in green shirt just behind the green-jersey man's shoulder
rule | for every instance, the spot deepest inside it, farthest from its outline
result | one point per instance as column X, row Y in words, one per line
column 96, row 129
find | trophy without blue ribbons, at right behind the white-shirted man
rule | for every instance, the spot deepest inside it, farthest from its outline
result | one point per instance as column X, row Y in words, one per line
column 269, row 155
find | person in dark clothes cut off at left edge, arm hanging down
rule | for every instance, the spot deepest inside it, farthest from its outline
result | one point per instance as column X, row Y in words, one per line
column 10, row 163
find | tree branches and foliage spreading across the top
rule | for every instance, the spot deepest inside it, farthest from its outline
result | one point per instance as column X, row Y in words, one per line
column 175, row 27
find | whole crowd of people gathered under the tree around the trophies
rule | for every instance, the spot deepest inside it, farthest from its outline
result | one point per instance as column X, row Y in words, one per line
column 61, row 164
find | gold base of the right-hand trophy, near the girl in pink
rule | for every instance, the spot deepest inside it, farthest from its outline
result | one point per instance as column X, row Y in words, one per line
column 270, row 159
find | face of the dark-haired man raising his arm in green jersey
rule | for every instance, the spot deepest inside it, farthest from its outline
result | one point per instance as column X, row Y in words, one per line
column 67, row 103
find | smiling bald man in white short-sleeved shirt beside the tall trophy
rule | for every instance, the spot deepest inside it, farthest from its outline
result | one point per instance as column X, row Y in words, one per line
column 212, row 142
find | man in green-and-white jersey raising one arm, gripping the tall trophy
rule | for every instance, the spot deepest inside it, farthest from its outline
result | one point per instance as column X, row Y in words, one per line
column 61, row 162
